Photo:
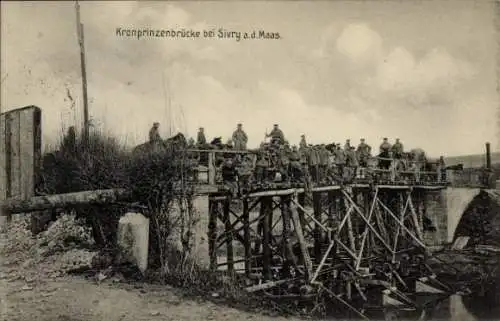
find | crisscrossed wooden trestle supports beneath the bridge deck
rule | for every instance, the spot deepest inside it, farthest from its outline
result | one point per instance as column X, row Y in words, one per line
column 359, row 244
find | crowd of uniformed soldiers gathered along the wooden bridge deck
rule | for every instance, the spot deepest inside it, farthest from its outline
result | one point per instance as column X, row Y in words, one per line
column 277, row 160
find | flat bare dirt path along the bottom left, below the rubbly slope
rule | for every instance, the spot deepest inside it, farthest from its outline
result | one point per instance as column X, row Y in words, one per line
column 76, row 299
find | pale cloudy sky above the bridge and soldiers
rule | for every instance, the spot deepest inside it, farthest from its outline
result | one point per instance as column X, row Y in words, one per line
column 421, row 71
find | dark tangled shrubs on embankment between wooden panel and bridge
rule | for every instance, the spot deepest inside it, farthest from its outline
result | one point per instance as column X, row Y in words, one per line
column 103, row 163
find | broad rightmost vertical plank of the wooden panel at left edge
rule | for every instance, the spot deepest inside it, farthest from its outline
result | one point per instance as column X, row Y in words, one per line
column 26, row 153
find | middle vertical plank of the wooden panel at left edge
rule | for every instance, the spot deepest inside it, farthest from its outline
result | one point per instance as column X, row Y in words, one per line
column 15, row 156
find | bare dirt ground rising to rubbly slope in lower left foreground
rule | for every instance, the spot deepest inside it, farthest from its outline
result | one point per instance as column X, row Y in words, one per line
column 30, row 290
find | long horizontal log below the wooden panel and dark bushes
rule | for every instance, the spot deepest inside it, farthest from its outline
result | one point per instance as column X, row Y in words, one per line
column 40, row 203
